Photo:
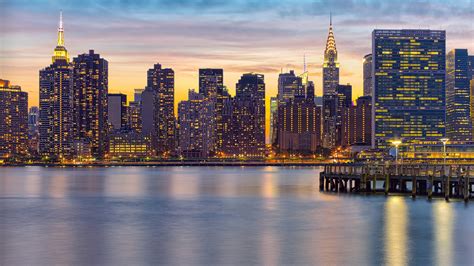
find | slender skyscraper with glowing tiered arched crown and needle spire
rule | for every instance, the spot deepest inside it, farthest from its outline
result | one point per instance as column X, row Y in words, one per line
column 330, row 65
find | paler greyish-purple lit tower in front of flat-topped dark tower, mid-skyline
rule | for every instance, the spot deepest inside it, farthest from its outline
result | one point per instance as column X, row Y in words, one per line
column 196, row 126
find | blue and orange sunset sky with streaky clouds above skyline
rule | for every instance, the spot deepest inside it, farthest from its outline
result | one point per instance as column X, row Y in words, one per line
column 263, row 36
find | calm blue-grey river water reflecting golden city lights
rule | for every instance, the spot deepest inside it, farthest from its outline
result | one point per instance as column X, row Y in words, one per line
column 218, row 216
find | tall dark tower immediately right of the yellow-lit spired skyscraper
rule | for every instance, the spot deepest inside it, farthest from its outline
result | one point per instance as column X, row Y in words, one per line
column 90, row 101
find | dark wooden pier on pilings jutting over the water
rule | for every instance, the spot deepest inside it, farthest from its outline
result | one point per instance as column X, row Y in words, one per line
column 448, row 181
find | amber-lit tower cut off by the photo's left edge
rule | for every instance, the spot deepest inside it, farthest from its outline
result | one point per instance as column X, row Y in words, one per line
column 13, row 120
